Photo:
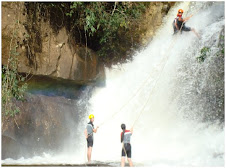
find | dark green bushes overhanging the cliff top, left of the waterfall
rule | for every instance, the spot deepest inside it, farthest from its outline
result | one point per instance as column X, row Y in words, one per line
column 109, row 28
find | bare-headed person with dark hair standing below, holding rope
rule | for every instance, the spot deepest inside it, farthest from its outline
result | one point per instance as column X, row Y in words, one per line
column 126, row 146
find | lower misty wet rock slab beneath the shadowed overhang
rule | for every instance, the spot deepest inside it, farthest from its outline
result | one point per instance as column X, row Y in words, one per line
column 43, row 125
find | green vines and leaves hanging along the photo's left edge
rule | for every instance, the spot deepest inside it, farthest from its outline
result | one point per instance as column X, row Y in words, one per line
column 11, row 88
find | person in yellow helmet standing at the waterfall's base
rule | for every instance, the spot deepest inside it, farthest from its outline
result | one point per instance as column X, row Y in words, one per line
column 89, row 136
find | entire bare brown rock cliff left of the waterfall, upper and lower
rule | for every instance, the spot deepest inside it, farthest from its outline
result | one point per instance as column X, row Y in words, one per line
column 53, row 59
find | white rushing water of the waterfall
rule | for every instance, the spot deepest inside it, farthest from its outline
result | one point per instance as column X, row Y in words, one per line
column 162, row 136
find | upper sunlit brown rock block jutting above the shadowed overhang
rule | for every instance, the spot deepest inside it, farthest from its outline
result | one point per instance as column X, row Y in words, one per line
column 43, row 52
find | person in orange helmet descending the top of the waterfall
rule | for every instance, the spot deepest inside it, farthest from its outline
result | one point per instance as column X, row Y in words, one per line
column 179, row 23
